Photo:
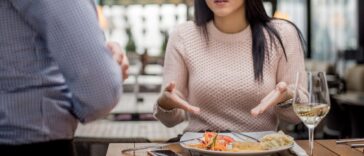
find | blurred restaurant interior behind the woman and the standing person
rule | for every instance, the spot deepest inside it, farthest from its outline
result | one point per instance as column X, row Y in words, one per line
column 333, row 29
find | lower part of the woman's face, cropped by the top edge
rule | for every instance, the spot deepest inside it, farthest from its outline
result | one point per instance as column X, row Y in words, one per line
column 223, row 8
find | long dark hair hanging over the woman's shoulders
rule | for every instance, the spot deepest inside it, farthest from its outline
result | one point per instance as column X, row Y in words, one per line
column 259, row 21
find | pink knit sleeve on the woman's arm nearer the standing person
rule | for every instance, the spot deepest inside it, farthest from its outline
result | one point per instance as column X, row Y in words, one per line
column 175, row 70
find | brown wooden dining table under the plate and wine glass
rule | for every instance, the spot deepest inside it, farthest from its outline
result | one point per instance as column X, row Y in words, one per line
column 321, row 148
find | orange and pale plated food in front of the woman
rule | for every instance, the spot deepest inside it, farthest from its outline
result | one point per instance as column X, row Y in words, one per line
column 212, row 141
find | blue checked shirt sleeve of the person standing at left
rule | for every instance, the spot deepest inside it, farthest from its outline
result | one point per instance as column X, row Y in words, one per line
column 75, row 41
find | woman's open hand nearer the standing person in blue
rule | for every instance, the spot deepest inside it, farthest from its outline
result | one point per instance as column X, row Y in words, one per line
column 171, row 98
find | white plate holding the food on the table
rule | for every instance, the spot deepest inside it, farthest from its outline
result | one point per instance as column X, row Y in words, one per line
column 192, row 135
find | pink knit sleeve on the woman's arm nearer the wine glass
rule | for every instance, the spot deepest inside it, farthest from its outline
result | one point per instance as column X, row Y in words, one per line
column 288, row 68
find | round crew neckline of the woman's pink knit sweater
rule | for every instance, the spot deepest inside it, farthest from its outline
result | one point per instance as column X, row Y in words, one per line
column 218, row 35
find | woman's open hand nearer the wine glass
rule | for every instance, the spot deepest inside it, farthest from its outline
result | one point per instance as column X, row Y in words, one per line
column 280, row 94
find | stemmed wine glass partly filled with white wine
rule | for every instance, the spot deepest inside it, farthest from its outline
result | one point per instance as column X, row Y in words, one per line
column 311, row 101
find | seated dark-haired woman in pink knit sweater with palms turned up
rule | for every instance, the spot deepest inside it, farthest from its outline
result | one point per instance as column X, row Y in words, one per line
column 229, row 68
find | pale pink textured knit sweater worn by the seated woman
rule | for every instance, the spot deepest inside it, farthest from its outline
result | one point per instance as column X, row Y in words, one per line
column 218, row 77
